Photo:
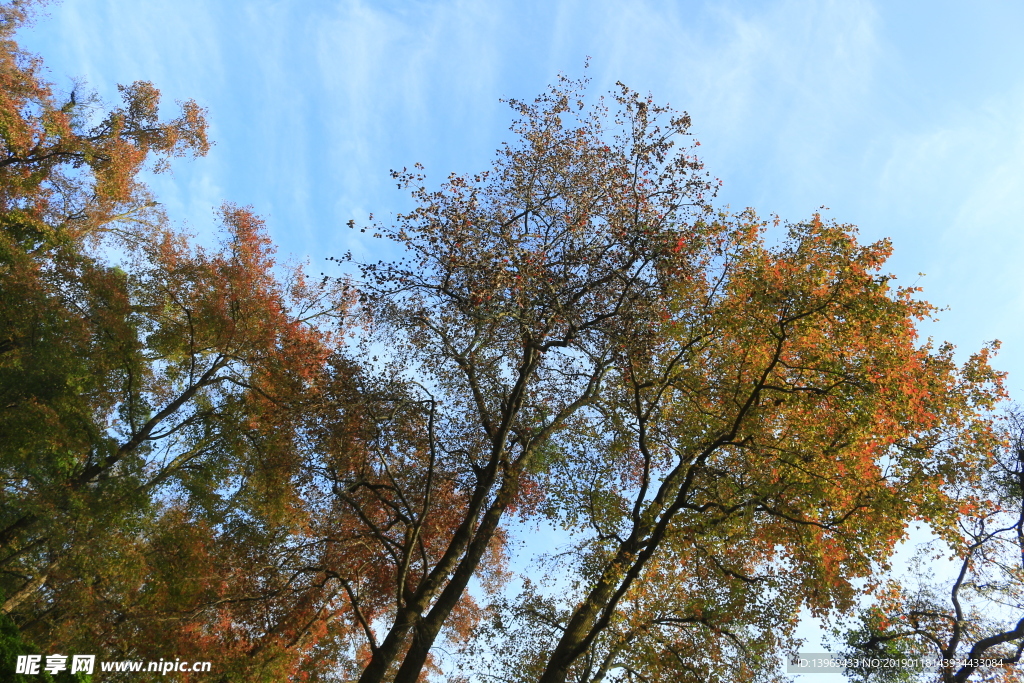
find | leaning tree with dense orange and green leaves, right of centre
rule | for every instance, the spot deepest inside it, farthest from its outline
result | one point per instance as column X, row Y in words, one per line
column 761, row 458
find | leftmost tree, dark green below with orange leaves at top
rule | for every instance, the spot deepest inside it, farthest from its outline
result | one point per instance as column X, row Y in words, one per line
column 63, row 183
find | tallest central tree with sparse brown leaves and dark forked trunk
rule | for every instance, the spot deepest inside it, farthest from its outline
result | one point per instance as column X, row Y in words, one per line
column 509, row 311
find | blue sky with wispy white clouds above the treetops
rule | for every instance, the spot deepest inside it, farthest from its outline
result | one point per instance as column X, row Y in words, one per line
column 905, row 118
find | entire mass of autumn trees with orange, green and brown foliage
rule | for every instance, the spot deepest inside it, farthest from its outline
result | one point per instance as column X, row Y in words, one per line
column 209, row 455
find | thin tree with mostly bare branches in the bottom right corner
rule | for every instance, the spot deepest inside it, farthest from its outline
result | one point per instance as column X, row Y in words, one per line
column 970, row 624
